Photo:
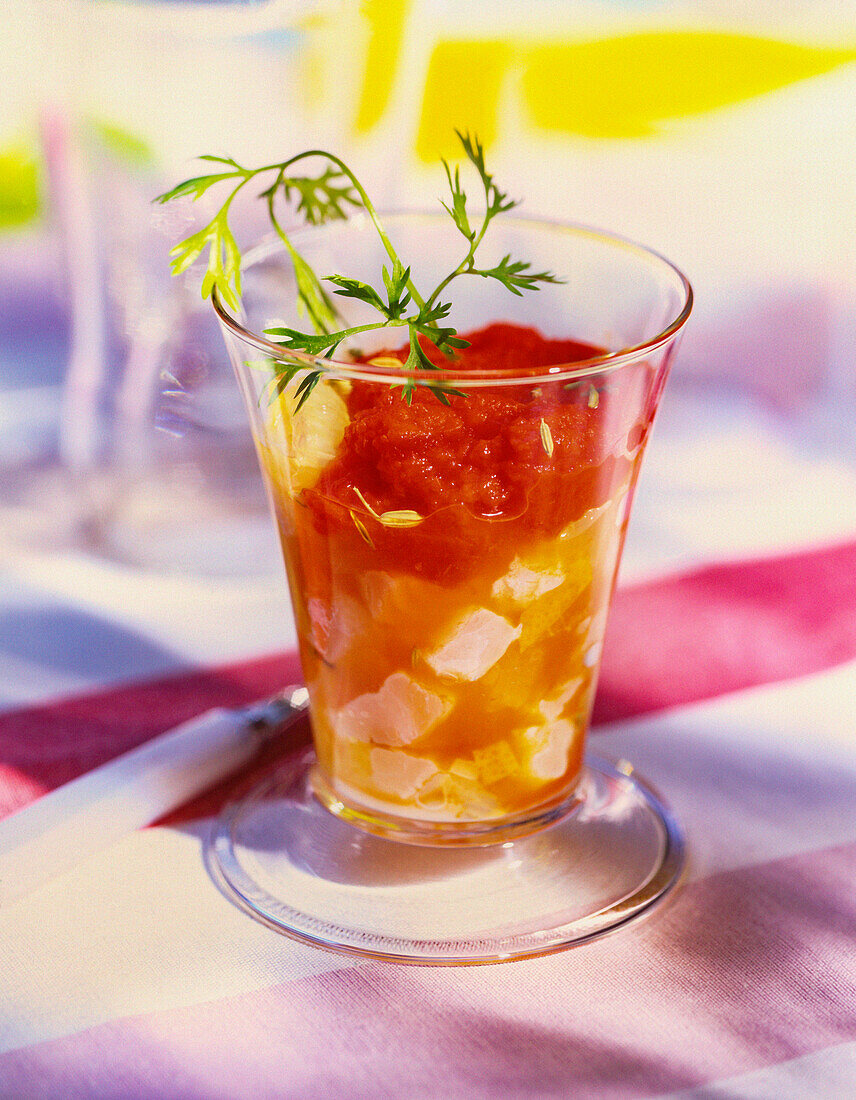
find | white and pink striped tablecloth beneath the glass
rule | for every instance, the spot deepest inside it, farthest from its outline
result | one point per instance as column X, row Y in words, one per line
column 729, row 680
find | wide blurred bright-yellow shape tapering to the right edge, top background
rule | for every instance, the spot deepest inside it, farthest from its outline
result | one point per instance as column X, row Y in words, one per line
column 617, row 87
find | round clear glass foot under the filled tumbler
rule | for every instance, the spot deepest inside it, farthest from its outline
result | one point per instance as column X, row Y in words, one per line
column 289, row 863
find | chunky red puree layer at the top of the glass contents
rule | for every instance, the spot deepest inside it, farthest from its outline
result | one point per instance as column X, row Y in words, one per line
column 481, row 458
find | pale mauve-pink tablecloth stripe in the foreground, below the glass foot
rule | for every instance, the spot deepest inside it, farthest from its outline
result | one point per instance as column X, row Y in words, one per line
column 745, row 970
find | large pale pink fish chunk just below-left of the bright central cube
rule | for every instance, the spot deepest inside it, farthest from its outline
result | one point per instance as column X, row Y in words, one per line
column 400, row 713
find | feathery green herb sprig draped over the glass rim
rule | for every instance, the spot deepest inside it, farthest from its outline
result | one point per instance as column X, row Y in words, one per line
column 331, row 196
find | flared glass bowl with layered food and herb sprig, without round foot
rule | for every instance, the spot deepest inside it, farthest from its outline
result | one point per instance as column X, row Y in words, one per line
column 452, row 510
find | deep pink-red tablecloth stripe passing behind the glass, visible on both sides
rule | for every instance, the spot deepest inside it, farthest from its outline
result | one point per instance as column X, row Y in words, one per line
column 671, row 642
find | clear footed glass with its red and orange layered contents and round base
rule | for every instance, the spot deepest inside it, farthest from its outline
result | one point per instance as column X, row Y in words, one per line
column 452, row 562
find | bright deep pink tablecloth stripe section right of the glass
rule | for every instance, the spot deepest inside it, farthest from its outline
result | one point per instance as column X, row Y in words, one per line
column 687, row 639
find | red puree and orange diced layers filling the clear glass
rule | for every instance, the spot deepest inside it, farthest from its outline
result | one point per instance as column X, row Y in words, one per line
column 452, row 564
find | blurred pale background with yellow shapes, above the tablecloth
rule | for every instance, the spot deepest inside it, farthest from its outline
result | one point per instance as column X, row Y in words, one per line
column 722, row 135
